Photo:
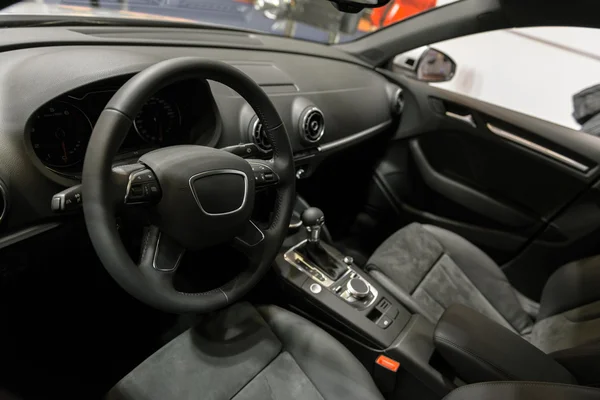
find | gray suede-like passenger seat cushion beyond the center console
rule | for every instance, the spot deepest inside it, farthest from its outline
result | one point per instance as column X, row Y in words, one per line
column 439, row 268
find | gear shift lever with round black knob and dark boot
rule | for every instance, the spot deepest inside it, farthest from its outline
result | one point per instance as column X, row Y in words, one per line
column 313, row 220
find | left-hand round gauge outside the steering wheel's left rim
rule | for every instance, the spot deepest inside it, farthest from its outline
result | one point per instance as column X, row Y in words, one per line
column 60, row 134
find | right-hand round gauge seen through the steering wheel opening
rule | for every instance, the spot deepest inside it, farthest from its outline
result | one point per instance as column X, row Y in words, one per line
column 157, row 120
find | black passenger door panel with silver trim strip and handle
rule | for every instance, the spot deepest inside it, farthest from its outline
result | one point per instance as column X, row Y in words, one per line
column 514, row 185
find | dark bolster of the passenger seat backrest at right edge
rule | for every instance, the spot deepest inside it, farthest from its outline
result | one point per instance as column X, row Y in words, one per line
column 571, row 286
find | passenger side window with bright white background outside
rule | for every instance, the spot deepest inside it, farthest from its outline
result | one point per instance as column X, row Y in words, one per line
column 552, row 73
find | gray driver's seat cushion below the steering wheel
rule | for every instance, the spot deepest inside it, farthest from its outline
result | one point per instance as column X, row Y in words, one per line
column 245, row 353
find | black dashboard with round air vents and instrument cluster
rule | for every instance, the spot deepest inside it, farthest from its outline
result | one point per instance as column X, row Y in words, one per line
column 53, row 90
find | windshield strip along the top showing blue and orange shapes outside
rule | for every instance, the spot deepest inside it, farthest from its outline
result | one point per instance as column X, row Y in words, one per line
column 314, row 20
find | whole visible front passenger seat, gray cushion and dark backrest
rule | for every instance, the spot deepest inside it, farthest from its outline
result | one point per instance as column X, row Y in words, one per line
column 436, row 268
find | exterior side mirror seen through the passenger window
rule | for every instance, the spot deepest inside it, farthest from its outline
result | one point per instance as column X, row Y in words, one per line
column 425, row 64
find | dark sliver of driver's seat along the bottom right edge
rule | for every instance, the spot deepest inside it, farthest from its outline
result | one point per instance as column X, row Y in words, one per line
column 523, row 391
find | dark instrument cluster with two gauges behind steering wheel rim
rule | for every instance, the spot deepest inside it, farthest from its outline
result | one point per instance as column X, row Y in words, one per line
column 182, row 113
